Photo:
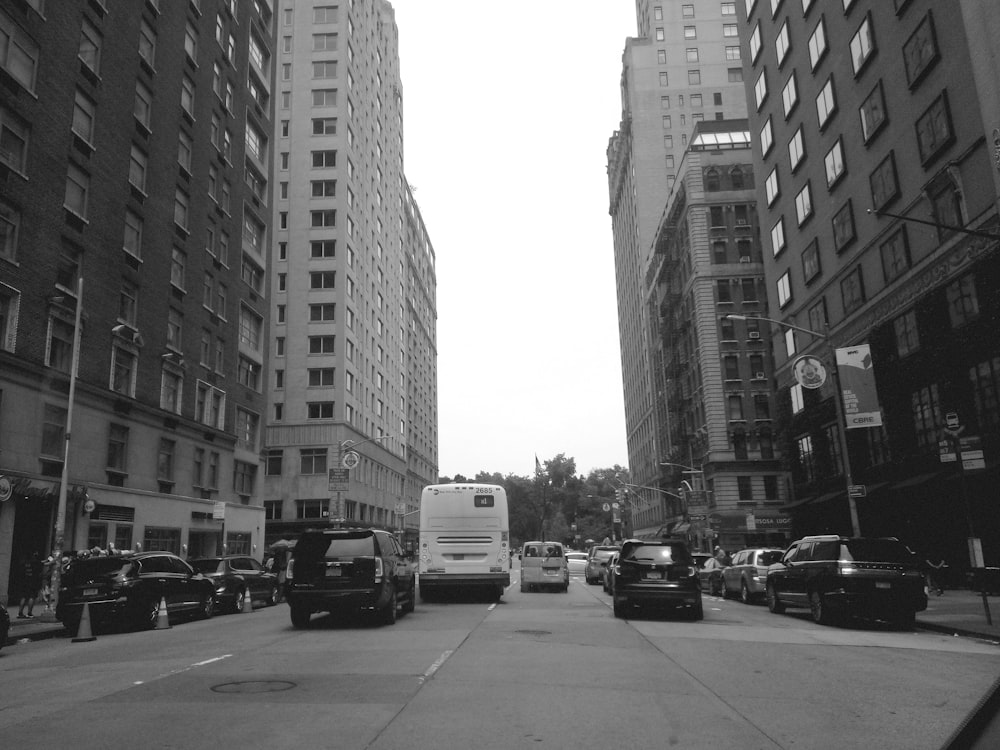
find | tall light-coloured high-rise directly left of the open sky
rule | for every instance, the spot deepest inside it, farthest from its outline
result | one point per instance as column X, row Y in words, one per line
column 352, row 398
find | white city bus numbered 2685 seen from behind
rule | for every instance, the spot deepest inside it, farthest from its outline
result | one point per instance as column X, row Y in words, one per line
column 464, row 538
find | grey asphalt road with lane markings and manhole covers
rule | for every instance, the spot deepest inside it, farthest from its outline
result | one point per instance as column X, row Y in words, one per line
column 536, row 670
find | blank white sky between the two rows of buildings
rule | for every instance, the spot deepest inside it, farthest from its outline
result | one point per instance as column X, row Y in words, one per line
column 508, row 108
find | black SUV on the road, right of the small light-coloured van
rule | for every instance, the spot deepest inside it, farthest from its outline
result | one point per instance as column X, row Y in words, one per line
column 655, row 573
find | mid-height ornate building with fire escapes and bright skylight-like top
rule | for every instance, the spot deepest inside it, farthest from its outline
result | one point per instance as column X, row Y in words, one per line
column 716, row 368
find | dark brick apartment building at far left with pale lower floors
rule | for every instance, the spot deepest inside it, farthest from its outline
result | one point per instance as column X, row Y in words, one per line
column 134, row 206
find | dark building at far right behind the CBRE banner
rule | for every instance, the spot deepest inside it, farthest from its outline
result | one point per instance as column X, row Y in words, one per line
column 876, row 134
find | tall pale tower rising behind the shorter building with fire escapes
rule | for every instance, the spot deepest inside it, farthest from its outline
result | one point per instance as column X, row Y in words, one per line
column 682, row 69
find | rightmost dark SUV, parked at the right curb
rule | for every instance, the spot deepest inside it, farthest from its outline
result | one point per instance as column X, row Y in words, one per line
column 836, row 577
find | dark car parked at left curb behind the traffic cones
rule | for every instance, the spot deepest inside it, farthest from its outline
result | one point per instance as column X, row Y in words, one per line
column 128, row 589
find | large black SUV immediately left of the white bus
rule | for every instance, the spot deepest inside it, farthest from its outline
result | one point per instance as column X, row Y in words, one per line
column 349, row 570
